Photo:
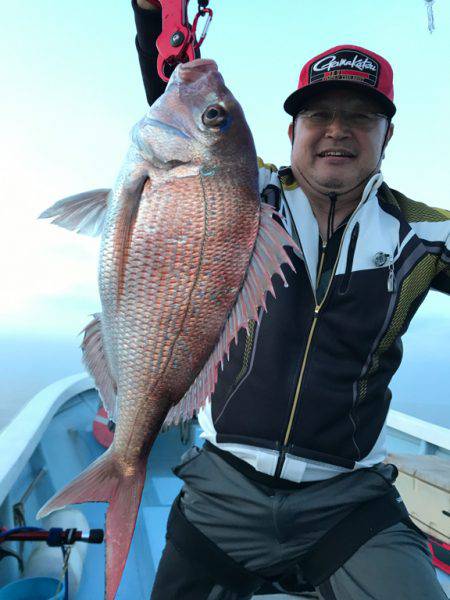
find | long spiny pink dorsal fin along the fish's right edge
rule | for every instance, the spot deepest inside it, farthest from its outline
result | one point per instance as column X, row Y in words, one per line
column 268, row 256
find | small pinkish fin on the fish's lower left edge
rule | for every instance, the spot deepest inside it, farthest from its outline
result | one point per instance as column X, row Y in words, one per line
column 97, row 365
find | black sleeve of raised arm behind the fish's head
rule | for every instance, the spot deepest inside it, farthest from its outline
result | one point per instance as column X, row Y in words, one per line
column 148, row 26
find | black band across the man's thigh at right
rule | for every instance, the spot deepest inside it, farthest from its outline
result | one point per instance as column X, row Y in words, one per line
column 342, row 541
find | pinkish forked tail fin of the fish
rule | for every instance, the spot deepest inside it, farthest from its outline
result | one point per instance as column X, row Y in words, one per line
column 105, row 481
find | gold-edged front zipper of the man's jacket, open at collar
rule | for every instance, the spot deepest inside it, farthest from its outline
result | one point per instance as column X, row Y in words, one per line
column 317, row 310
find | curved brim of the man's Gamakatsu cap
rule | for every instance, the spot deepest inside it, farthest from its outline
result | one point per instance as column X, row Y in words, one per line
column 296, row 101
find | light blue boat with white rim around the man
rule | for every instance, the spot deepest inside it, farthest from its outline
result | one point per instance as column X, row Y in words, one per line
column 51, row 440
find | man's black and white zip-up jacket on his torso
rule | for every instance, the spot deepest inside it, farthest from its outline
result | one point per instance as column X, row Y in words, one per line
column 305, row 394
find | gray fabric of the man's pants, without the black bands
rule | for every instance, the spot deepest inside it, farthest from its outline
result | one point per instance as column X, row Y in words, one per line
column 263, row 528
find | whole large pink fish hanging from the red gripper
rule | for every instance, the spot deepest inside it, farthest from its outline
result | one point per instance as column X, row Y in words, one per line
column 187, row 256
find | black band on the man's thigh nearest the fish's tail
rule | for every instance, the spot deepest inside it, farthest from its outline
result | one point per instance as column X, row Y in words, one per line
column 205, row 555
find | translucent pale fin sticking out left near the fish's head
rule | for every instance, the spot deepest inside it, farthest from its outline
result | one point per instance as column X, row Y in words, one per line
column 83, row 213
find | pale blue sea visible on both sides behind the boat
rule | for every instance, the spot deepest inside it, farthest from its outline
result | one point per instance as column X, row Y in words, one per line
column 32, row 360
